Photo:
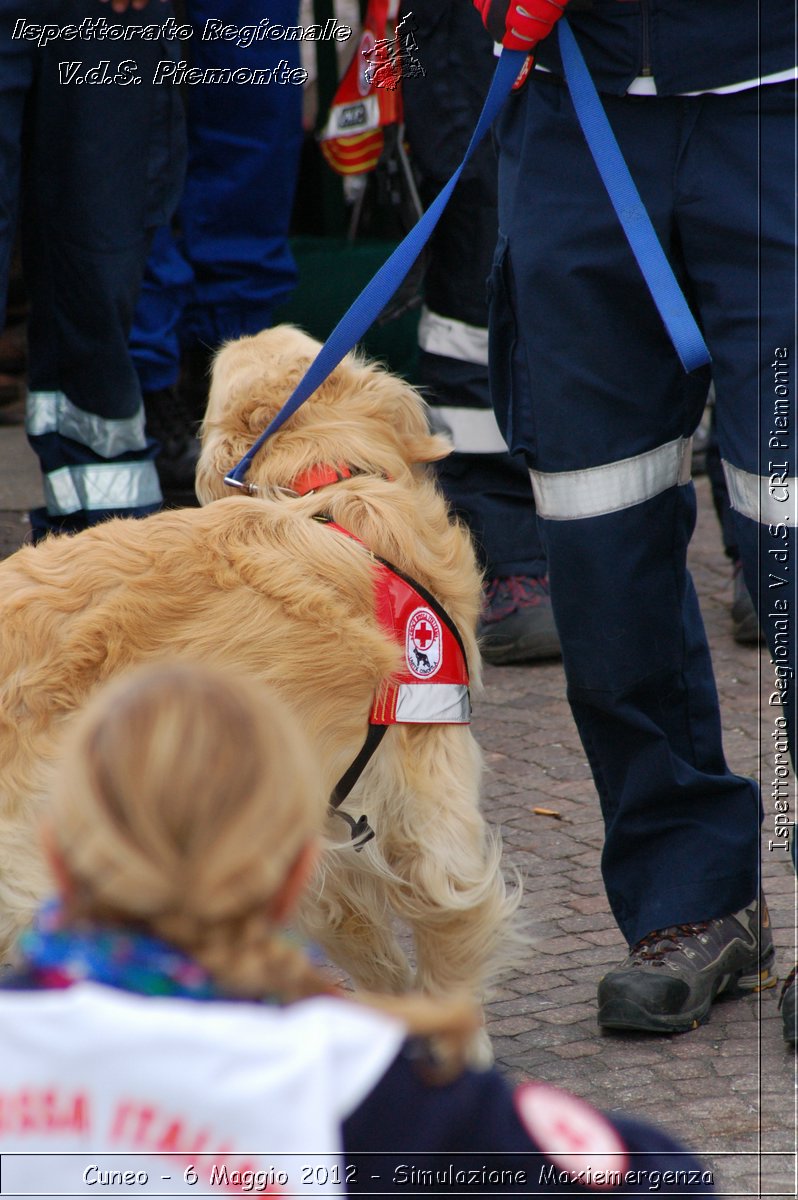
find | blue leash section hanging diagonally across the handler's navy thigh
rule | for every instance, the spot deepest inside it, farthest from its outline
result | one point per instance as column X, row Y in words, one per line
column 638, row 226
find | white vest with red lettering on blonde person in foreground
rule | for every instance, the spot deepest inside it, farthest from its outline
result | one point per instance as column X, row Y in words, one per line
column 187, row 1097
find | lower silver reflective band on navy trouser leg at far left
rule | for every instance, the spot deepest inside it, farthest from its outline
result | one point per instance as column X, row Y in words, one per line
column 127, row 485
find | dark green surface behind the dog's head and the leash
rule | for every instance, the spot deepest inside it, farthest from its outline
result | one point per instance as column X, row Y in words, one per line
column 333, row 273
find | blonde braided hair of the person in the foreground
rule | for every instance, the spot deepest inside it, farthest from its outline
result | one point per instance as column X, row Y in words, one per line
column 184, row 801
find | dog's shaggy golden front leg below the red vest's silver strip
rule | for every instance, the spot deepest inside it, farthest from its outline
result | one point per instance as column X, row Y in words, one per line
column 435, row 862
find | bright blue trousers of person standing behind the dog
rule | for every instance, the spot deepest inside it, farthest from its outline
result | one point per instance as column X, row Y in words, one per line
column 230, row 265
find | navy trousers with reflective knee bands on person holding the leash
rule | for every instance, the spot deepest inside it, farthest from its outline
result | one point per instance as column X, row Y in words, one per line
column 590, row 388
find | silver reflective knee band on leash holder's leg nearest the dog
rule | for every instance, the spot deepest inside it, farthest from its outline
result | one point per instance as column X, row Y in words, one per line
column 596, row 491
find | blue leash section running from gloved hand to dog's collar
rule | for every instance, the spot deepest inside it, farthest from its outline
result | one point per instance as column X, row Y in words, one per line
column 371, row 302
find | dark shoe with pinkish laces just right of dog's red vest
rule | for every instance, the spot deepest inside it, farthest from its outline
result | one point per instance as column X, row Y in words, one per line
column 518, row 625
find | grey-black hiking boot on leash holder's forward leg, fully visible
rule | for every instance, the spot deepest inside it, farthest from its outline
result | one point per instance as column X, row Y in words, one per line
column 673, row 976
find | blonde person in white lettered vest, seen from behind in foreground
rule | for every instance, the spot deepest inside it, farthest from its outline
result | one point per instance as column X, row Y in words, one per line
column 161, row 1024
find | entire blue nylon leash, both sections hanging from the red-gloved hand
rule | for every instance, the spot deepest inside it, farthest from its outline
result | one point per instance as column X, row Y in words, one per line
column 626, row 200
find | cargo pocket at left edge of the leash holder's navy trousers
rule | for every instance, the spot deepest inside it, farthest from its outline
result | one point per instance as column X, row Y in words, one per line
column 511, row 392
